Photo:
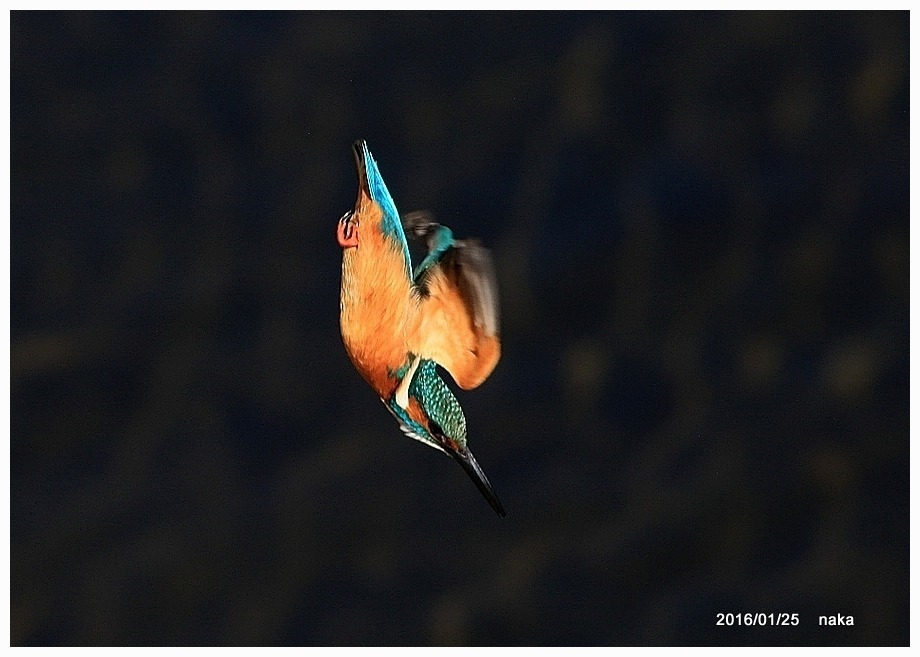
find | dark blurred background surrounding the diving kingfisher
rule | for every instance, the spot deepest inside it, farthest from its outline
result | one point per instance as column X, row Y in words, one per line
column 700, row 226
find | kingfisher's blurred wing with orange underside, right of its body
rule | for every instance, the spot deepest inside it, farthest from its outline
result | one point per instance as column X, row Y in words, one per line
column 457, row 319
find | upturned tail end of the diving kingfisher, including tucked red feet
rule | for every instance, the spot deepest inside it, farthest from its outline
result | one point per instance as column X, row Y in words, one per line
column 374, row 208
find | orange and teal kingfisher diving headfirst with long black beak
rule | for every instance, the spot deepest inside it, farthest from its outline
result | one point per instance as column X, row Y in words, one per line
column 399, row 324
